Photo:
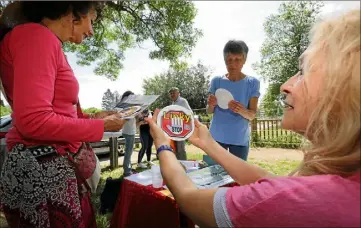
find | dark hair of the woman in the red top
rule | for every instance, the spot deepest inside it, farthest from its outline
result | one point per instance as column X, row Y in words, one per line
column 35, row 11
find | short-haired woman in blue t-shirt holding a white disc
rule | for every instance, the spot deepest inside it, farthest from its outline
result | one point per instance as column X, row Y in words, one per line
column 230, row 127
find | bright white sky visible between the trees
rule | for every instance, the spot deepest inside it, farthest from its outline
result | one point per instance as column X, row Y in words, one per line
column 219, row 21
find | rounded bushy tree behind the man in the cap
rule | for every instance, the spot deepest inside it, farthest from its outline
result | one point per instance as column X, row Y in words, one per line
column 193, row 83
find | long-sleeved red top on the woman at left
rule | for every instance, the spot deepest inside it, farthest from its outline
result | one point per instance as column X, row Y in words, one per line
column 42, row 91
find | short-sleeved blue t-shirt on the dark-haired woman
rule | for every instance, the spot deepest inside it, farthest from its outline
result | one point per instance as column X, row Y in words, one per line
column 226, row 126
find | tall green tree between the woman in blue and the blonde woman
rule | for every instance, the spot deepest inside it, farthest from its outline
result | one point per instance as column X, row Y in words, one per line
column 286, row 39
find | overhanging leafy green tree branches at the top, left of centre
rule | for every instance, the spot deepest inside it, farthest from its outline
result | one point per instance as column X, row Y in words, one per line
column 125, row 24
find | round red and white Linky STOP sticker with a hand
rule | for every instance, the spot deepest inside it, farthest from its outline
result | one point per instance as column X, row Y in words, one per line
column 176, row 122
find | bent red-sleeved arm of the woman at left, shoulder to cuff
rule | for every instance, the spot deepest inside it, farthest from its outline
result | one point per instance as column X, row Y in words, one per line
column 35, row 66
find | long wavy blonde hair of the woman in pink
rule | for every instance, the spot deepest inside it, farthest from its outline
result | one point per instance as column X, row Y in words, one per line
column 334, row 125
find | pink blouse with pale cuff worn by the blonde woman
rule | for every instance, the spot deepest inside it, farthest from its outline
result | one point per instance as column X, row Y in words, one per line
column 314, row 201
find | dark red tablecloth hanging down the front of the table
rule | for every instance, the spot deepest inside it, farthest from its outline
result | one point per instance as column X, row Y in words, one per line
column 144, row 206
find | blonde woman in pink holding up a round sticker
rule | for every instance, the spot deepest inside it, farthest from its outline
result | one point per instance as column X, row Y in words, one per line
column 323, row 104
